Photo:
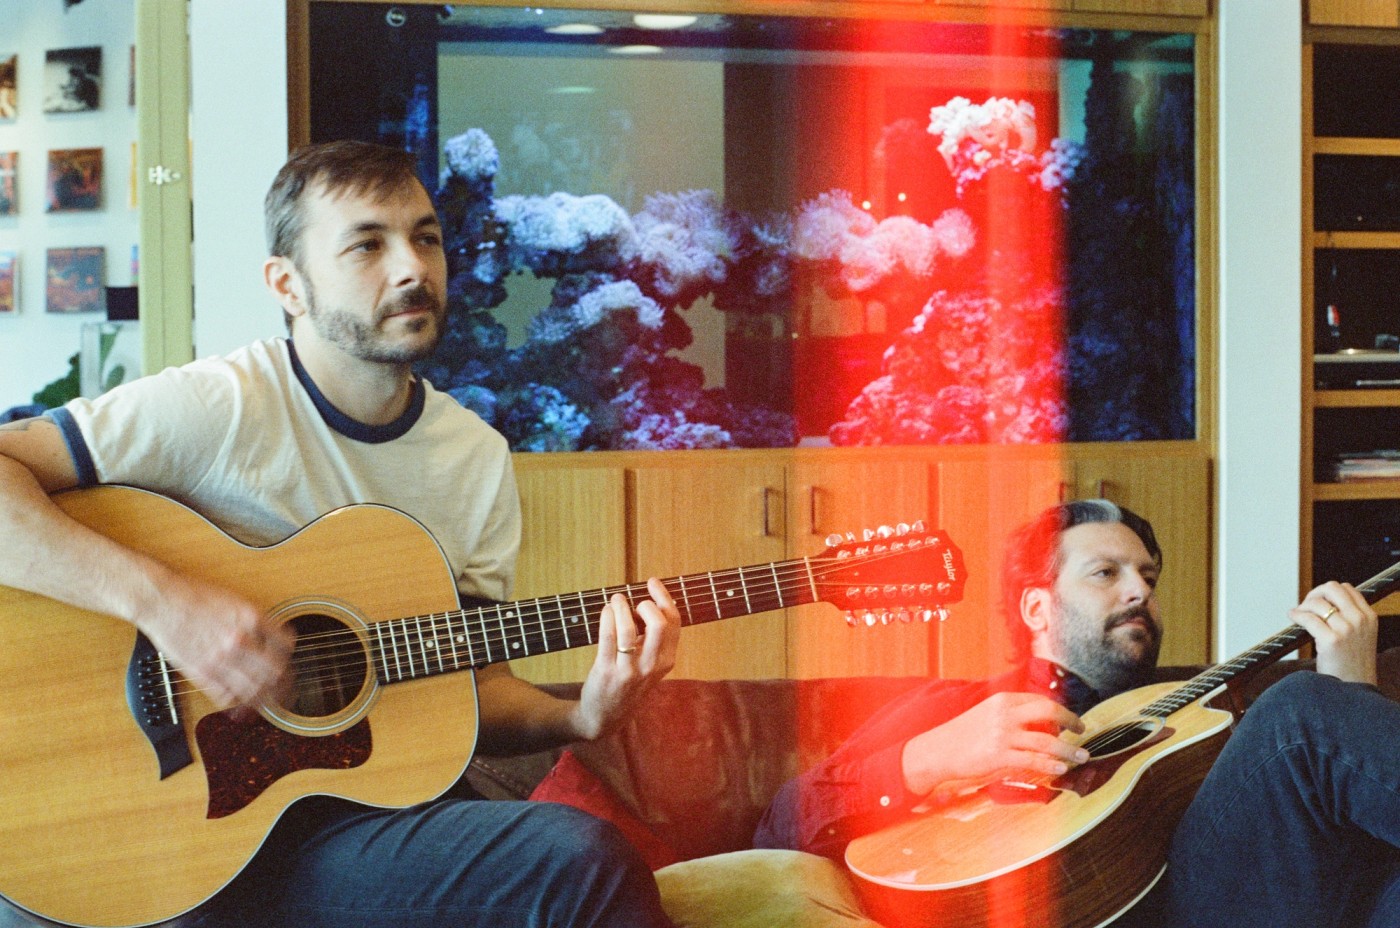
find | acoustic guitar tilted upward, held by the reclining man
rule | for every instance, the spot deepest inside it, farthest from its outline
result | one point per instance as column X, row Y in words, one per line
column 1079, row 850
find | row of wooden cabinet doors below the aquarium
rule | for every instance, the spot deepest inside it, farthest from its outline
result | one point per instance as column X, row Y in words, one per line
column 603, row 520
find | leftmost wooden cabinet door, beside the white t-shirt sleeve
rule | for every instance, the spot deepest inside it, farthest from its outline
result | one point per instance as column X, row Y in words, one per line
column 573, row 538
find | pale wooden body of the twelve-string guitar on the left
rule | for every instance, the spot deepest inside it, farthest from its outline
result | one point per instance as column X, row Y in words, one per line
column 90, row 832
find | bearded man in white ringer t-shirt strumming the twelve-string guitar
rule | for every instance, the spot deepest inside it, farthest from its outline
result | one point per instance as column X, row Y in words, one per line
column 264, row 443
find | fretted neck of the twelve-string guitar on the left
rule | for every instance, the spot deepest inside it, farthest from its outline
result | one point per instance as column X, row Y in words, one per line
column 425, row 646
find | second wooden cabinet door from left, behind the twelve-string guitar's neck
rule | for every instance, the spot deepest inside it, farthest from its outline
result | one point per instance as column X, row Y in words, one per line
column 691, row 520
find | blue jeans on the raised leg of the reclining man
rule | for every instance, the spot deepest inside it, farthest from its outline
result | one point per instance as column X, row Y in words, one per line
column 1298, row 822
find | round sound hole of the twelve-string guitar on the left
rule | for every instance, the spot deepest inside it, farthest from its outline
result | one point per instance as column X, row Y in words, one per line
column 331, row 667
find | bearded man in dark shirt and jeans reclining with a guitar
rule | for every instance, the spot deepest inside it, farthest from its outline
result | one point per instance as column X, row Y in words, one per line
column 1298, row 822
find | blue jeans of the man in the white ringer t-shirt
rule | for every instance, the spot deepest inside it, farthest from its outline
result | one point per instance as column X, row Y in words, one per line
column 446, row 864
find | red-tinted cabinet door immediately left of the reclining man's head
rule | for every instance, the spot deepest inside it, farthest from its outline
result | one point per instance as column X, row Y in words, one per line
column 979, row 503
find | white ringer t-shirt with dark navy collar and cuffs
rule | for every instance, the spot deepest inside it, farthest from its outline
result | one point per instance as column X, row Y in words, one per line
column 250, row 443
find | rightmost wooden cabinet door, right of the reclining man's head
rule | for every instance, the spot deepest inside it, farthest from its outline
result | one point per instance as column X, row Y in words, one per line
column 1174, row 495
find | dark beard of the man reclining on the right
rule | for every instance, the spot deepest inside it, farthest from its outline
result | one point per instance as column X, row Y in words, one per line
column 1109, row 654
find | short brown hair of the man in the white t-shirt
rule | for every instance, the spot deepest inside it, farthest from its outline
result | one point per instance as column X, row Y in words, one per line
column 339, row 167
